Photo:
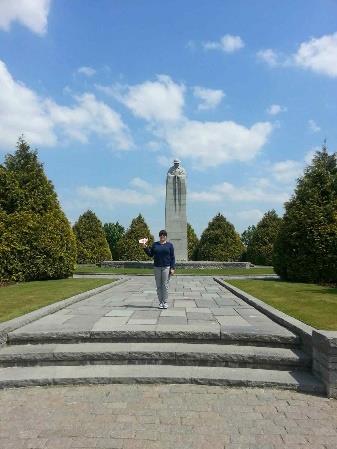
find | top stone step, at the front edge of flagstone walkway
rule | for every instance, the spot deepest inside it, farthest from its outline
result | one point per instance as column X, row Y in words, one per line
column 160, row 333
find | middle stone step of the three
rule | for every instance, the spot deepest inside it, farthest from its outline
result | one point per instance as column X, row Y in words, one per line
column 155, row 353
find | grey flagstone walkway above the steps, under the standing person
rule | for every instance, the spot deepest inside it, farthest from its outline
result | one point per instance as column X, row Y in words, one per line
column 195, row 302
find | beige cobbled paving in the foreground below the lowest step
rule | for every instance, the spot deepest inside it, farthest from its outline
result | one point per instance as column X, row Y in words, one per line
column 165, row 417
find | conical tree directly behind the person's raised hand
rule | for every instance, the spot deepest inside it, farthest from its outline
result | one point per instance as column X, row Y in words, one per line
column 128, row 246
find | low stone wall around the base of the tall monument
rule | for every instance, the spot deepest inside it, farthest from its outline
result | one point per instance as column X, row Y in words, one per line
column 180, row 265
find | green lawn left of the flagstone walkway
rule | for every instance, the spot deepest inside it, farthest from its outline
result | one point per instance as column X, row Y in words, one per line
column 18, row 299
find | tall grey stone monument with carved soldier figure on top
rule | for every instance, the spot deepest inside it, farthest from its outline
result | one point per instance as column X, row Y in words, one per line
column 175, row 210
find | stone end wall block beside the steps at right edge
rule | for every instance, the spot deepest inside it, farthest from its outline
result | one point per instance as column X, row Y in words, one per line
column 325, row 359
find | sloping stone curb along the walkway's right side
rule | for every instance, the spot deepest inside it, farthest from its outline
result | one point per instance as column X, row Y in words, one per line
column 294, row 325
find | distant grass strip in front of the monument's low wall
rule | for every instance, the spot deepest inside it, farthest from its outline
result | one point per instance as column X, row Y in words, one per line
column 198, row 272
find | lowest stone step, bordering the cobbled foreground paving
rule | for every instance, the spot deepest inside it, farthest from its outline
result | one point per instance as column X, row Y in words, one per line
column 100, row 374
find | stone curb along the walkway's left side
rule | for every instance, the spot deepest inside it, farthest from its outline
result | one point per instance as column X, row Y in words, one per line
column 16, row 323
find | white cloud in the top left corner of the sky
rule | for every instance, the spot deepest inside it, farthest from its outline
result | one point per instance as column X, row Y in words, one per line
column 31, row 13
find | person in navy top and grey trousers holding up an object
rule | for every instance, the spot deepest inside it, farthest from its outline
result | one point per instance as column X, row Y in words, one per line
column 164, row 265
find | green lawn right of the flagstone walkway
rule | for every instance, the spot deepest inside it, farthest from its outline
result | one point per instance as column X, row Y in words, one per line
column 313, row 304
